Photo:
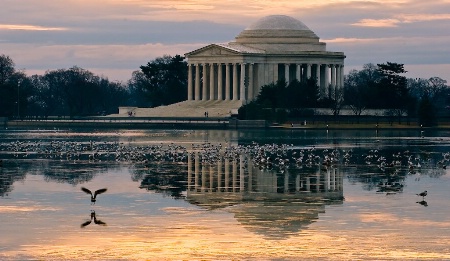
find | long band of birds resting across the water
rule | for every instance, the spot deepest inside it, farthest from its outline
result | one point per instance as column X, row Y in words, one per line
column 267, row 156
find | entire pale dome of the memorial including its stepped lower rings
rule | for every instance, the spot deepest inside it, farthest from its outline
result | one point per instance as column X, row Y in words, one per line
column 277, row 29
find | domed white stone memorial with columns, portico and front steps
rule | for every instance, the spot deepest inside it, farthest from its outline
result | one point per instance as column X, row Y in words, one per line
column 224, row 76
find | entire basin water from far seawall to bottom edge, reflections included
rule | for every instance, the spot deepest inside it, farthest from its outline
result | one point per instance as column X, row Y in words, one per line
column 224, row 195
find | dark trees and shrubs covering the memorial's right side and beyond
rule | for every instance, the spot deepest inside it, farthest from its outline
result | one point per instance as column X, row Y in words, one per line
column 379, row 87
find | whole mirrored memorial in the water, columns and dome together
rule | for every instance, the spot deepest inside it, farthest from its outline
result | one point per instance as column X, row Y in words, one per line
column 272, row 203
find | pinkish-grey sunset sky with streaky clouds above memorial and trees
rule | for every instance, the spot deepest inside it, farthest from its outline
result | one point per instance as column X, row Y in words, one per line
column 112, row 38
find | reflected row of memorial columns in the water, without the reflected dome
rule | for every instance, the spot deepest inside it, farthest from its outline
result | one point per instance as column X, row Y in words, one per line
column 233, row 176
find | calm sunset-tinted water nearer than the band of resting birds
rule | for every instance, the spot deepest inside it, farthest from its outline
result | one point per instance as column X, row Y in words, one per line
column 228, row 210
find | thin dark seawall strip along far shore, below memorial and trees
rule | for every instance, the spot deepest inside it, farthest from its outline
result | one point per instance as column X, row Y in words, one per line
column 206, row 123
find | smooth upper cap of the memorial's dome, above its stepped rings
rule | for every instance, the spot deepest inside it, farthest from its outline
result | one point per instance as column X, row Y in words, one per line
column 278, row 22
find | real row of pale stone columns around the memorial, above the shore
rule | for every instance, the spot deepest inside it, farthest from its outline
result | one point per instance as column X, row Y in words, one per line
column 242, row 81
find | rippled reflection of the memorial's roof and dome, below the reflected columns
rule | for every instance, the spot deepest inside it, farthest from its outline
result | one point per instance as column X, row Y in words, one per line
column 272, row 215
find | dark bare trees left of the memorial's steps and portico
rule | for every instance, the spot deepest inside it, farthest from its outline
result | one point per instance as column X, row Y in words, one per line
column 77, row 92
